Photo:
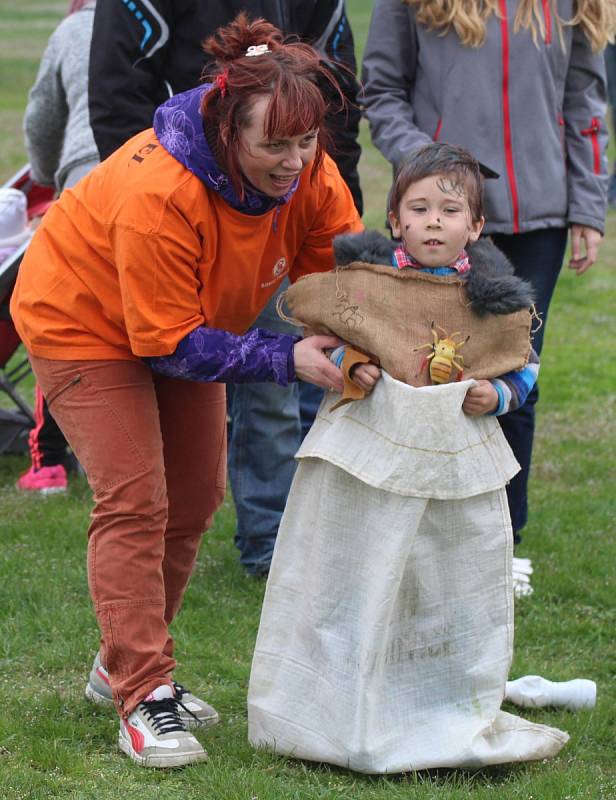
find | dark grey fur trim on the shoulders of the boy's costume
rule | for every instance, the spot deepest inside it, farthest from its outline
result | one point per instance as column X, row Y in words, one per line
column 491, row 286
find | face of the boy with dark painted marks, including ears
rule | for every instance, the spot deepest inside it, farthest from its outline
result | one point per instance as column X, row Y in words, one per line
column 434, row 220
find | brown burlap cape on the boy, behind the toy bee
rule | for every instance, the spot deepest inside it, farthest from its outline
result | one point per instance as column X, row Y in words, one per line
column 388, row 313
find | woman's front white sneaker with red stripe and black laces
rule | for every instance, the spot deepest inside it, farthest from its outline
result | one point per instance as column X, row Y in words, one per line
column 155, row 736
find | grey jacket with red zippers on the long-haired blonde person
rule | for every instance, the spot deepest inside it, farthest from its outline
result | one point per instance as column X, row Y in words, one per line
column 532, row 113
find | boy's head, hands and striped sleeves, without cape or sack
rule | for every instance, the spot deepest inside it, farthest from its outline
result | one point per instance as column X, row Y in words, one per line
column 435, row 211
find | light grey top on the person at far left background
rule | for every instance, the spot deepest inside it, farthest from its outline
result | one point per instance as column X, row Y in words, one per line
column 57, row 122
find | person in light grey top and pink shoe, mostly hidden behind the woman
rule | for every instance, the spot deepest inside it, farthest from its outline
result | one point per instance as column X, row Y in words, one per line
column 61, row 150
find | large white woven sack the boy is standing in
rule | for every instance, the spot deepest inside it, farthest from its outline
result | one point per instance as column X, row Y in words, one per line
column 386, row 632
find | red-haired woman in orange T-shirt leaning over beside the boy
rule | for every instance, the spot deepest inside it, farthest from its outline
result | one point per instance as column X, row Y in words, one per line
column 133, row 301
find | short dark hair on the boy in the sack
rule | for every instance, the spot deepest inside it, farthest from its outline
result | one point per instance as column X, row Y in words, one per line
column 438, row 158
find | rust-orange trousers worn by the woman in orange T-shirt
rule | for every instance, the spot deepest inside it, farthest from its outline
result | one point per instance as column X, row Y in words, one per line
column 154, row 451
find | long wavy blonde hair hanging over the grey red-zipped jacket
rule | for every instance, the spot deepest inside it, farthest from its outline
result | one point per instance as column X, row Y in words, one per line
column 597, row 18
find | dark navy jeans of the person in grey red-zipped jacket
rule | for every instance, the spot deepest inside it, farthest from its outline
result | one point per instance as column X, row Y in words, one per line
column 537, row 257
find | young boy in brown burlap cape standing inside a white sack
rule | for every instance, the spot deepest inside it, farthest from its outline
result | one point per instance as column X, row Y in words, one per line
column 386, row 632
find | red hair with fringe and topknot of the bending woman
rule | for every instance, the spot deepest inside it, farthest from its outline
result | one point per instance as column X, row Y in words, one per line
column 289, row 74
